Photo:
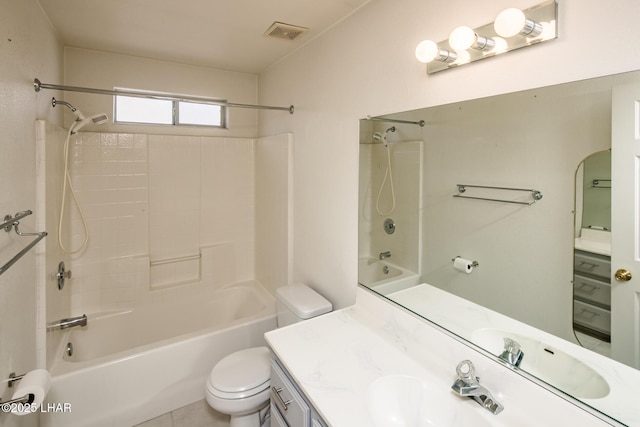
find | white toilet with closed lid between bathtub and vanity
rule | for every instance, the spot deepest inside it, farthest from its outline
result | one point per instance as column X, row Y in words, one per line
column 239, row 384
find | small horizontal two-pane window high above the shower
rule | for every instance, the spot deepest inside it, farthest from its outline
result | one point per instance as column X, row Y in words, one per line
column 130, row 109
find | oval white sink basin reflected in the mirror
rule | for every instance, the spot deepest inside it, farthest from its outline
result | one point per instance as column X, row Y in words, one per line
column 548, row 363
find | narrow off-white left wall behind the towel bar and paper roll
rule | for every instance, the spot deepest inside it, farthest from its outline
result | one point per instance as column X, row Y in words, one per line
column 29, row 48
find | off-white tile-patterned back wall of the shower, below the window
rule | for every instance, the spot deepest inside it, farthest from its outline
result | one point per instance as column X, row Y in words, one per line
column 162, row 211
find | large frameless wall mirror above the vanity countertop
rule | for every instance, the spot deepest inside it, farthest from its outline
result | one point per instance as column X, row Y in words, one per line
column 500, row 208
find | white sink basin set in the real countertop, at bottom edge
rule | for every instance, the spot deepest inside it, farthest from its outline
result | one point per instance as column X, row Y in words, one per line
column 404, row 400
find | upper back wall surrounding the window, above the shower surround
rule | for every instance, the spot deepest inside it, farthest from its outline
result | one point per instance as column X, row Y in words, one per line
column 101, row 70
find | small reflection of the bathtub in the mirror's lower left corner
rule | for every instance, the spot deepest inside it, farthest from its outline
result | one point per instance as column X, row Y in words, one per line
column 384, row 277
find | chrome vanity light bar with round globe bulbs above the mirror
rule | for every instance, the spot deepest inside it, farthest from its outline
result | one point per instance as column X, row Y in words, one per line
column 512, row 29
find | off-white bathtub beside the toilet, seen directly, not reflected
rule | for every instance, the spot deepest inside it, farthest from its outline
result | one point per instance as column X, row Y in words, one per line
column 130, row 366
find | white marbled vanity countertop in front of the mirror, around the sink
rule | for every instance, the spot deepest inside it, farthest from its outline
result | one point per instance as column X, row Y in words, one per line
column 336, row 357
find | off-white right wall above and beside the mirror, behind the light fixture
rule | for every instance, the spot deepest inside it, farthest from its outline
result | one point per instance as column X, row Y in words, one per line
column 366, row 66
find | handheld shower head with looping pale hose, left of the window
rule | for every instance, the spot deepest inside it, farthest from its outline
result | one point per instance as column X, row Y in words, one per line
column 80, row 122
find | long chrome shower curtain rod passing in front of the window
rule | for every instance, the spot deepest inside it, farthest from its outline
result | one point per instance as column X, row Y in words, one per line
column 38, row 85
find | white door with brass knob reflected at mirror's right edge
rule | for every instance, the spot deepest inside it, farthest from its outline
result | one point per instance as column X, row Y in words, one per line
column 625, row 224
